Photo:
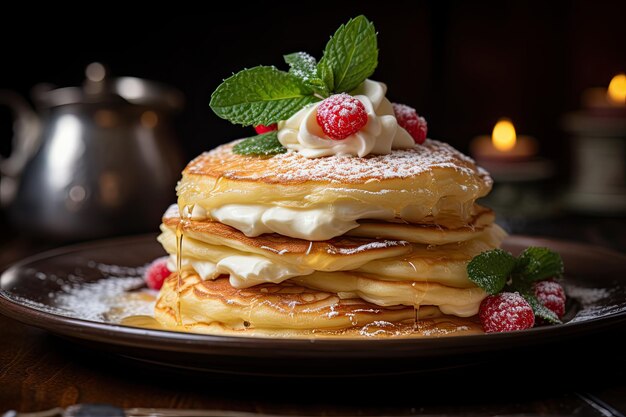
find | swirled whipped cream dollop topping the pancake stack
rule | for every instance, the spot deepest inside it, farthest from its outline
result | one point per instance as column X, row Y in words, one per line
column 380, row 135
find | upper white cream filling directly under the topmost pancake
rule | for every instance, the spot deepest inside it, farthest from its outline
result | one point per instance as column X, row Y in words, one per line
column 322, row 222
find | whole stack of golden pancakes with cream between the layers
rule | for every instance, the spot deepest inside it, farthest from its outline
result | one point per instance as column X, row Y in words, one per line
column 270, row 245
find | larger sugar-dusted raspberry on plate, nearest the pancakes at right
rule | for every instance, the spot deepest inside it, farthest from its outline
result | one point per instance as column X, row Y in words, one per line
column 505, row 312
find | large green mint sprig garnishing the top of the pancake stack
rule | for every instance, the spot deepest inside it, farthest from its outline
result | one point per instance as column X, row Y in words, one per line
column 266, row 95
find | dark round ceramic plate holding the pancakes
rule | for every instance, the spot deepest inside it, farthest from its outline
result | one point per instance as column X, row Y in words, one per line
column 42, row 291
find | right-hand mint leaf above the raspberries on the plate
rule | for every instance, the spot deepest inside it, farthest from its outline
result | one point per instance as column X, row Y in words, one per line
column 536, row 264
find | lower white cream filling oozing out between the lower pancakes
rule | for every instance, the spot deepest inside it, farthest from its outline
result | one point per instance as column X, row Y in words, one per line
column 244, row 270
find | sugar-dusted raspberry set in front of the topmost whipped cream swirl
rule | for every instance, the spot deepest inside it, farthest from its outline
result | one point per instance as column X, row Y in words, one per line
column 341, row 115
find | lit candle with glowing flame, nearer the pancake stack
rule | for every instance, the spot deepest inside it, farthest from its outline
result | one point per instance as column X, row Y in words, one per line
column 503, row 144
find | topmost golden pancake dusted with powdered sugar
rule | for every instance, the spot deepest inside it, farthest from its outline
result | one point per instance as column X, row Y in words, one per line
column 430, row 183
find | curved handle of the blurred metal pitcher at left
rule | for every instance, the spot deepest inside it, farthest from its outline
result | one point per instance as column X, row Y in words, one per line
column 25, row 142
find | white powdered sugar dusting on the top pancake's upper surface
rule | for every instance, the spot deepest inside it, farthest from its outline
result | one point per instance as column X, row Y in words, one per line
column 293, row 167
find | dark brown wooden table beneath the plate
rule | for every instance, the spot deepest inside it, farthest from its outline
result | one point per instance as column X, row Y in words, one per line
column 585, row 377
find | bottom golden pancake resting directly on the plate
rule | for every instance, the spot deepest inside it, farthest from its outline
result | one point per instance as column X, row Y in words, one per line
column 285, row 309
